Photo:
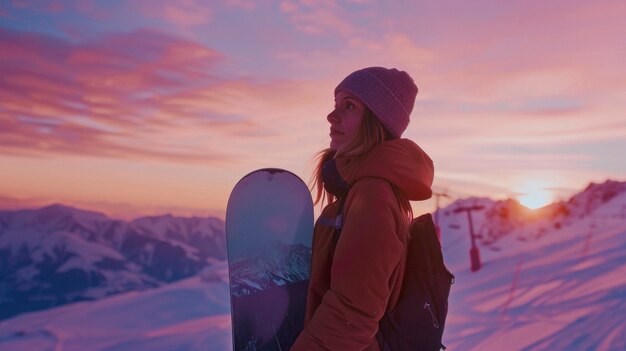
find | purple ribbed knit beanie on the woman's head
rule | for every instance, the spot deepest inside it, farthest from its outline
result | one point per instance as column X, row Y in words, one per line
column 388, row 93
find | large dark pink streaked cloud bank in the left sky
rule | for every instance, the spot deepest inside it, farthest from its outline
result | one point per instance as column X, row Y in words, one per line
column 125, row 95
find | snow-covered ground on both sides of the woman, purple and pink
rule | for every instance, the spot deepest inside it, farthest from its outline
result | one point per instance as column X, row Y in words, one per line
column 555, row 284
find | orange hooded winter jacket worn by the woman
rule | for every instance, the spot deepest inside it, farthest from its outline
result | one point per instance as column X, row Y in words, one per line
column 354, row 283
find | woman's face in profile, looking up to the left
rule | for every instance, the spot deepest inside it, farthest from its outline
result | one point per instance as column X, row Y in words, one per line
column 345, row 119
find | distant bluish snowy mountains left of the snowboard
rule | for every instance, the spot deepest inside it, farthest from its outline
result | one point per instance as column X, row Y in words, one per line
column 57, row 255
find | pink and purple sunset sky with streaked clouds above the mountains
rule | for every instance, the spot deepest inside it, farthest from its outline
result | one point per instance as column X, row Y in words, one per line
column 150, row 107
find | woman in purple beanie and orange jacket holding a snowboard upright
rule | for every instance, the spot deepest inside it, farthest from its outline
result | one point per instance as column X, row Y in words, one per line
column 356, row 279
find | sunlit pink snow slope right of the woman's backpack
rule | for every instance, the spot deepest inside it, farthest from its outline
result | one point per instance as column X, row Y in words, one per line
column 564, row 289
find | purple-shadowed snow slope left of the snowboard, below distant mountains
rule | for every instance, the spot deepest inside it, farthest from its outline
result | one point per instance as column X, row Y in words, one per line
column 191, row 314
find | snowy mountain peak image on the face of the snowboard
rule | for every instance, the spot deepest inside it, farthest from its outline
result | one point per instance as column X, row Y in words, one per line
column 277, row 264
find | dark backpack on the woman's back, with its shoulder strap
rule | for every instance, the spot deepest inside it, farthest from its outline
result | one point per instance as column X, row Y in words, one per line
column 416, row 323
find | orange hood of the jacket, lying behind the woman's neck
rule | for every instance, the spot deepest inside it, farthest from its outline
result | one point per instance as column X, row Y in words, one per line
column 399, row 161
